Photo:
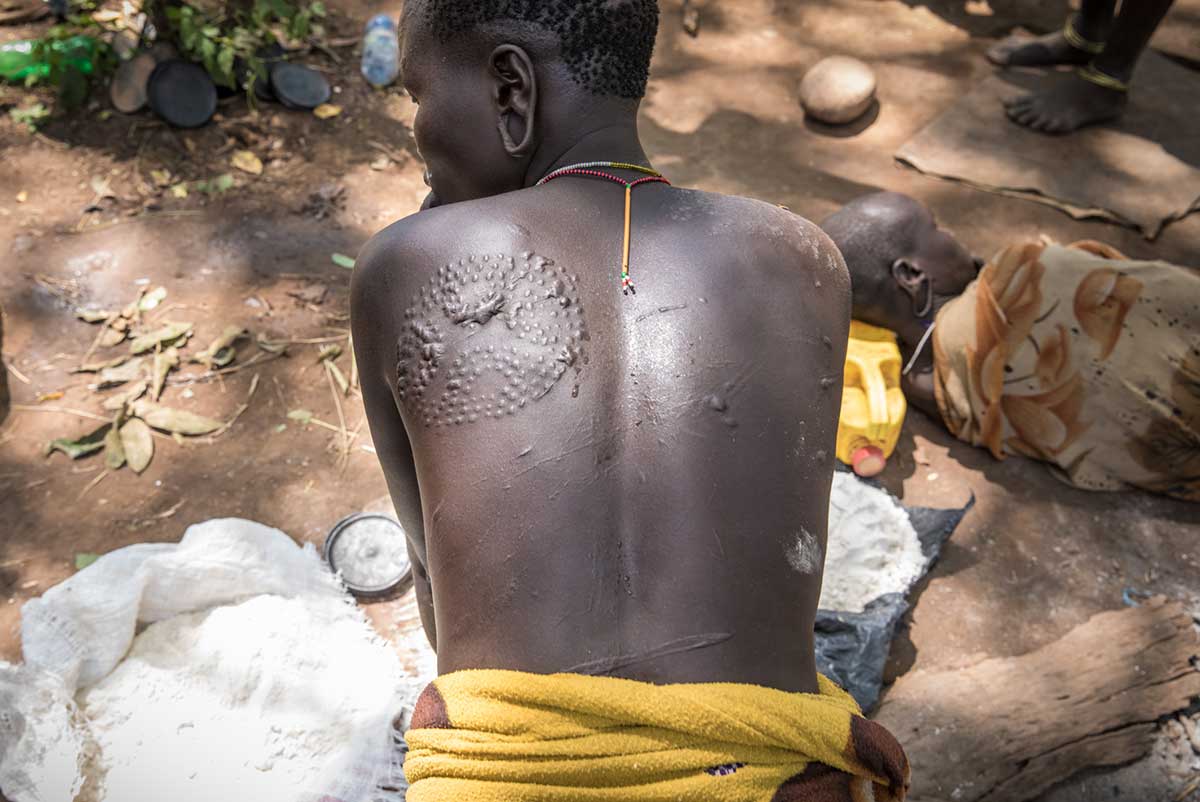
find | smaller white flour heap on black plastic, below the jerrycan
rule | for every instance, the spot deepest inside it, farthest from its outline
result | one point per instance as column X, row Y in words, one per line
column 873, row 547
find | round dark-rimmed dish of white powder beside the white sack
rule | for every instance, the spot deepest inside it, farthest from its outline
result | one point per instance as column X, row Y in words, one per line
column 371, row 554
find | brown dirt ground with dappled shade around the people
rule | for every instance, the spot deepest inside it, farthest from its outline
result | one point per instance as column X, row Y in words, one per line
column 1030, row 562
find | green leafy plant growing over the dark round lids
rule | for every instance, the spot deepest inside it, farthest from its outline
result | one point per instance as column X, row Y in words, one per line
column 230, row 35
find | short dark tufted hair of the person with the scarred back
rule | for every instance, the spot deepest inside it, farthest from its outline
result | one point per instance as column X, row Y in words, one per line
column 607, row 45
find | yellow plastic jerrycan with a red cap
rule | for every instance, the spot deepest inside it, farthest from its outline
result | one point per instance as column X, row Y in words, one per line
column 873, row 405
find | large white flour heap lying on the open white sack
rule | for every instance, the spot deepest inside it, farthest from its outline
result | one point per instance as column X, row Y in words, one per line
column 253, row 702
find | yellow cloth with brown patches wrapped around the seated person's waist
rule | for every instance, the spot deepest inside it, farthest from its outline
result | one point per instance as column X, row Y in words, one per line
column 511, row 737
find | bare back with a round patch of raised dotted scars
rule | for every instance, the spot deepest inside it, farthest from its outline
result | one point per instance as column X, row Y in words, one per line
column 633, row 486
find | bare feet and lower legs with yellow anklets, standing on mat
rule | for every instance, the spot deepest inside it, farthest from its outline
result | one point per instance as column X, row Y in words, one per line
column 1105, row 43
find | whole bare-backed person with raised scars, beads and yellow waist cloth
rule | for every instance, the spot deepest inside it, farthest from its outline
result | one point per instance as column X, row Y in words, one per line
column 595, row 482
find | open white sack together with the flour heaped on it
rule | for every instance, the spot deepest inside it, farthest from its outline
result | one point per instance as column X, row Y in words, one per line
column 263, row 696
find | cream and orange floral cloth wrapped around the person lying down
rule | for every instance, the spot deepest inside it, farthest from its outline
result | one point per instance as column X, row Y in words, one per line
column 1081, row 358
